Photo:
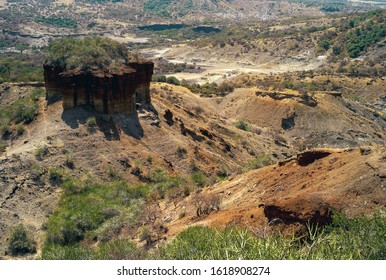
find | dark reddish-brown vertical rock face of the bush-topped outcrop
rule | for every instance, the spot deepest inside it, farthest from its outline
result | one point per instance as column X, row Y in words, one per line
column 107, row 92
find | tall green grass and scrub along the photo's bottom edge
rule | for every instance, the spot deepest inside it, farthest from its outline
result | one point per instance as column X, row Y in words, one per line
column 346, row 239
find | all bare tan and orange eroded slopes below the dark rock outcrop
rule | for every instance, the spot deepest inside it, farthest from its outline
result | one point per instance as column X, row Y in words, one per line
column 186, row 132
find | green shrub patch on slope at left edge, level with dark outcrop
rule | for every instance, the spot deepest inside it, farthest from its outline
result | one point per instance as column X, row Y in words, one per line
column 22, row 111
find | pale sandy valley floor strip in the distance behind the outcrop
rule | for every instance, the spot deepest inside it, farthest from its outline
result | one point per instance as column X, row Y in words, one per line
column 217, row 65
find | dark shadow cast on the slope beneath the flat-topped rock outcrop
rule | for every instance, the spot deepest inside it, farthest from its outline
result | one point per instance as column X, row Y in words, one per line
column 109, row 125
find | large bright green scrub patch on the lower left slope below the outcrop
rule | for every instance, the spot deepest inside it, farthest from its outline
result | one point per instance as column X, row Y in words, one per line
column 87, row 206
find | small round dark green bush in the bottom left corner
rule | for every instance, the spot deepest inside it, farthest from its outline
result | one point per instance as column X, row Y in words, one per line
column 21, row 242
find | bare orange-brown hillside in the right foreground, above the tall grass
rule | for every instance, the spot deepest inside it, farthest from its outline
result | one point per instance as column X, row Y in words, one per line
column 289, row 194
